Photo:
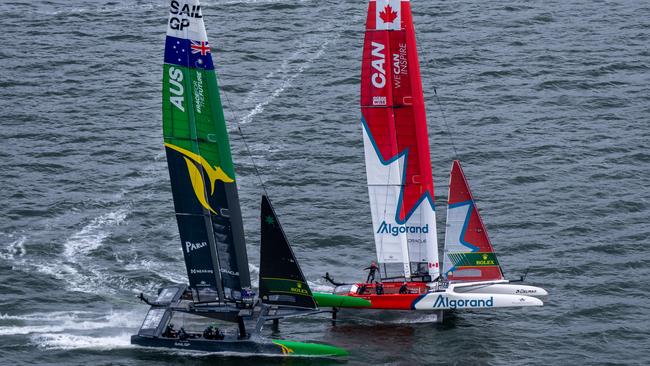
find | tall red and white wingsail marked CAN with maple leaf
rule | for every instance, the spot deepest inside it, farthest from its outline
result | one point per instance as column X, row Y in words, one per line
column 398, row 165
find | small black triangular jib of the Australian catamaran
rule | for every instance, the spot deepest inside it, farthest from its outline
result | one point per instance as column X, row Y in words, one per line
column 281, row 279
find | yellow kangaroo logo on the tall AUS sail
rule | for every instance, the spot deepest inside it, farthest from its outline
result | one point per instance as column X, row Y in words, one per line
column 214, row 173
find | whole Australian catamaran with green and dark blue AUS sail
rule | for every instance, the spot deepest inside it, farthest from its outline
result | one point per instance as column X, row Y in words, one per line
column 209, row 219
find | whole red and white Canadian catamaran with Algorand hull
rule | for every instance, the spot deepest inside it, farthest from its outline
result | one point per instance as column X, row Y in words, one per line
column 400, row 186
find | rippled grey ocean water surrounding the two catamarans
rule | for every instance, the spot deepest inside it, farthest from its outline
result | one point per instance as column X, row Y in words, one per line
column 548, row 103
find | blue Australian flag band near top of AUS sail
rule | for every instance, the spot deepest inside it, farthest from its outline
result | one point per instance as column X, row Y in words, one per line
column 188, row 53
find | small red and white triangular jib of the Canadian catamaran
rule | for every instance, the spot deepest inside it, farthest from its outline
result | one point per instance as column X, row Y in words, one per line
column 469, row 255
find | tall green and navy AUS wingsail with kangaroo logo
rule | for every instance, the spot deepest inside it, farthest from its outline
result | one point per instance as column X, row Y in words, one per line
column 198, row 155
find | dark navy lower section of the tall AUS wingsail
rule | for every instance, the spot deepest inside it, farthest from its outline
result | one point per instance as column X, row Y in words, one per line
column 210, row 238
